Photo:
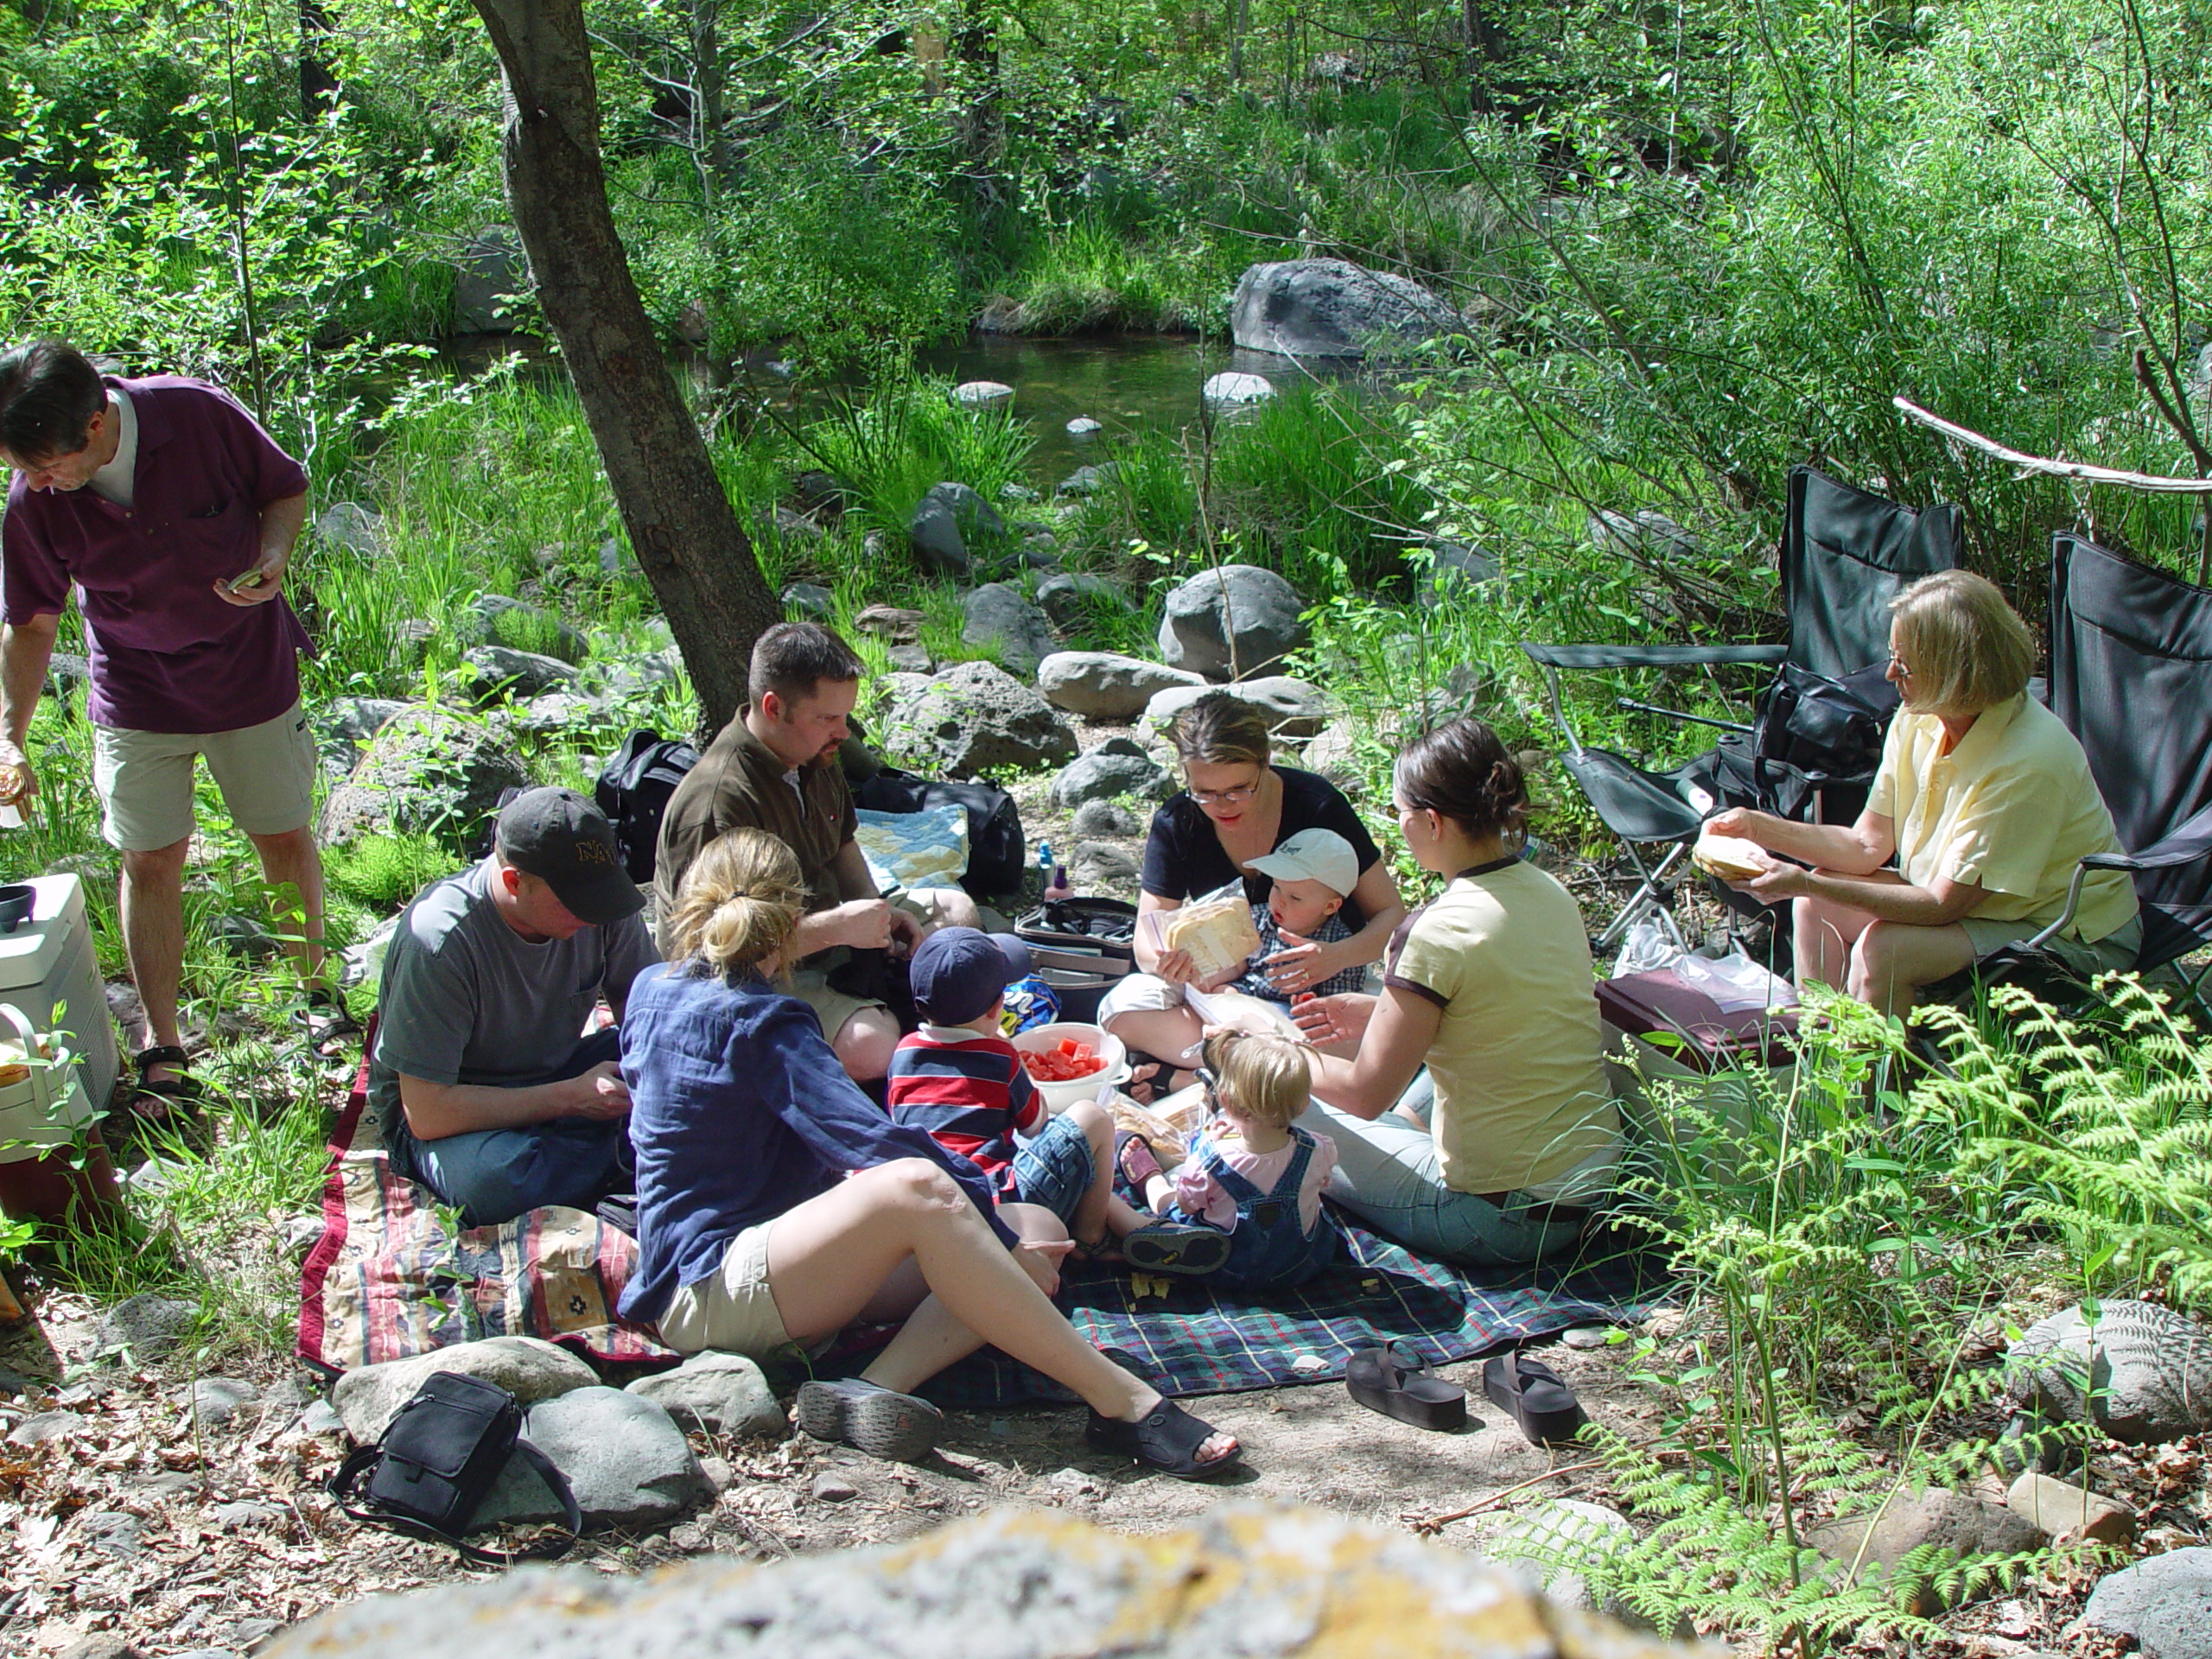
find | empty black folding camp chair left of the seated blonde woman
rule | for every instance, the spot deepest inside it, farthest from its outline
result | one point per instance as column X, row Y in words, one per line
column 1844, row 556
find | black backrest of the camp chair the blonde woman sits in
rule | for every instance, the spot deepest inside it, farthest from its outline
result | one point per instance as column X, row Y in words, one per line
column 2131, row 676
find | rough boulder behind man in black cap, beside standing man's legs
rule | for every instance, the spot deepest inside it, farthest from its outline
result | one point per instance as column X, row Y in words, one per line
column 426, row 771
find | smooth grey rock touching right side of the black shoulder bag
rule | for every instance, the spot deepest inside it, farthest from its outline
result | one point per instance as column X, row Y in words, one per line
column 625, row 1459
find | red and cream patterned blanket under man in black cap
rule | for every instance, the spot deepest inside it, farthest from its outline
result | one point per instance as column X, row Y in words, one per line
column 388, row 1280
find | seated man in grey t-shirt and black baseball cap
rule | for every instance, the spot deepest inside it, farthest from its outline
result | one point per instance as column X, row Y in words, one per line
column 483, row 1081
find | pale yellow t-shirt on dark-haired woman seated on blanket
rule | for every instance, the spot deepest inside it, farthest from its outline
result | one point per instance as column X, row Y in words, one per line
column 1521, row 1094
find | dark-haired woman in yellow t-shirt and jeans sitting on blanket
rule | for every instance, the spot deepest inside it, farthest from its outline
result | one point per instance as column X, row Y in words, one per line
column 1496, row 1151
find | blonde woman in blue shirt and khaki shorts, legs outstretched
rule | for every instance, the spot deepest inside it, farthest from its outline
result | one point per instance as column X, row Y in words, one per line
column 778, row 1202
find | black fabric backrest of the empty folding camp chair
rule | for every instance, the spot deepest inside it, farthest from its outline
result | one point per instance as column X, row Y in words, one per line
column 1846, row 556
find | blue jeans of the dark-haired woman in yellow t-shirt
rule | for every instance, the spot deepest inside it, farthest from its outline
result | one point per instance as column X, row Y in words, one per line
column 1390, row 1178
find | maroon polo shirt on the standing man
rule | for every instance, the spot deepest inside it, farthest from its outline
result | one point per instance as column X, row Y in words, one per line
column 167, row 654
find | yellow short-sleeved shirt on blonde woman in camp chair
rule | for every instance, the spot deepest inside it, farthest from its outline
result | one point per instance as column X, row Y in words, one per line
column 2012, row 808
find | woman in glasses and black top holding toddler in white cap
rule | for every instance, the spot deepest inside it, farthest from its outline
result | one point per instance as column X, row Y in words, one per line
column 1238, row 808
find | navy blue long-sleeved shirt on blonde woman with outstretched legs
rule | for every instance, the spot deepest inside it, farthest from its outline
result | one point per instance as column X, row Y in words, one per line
column 740, row 1114
